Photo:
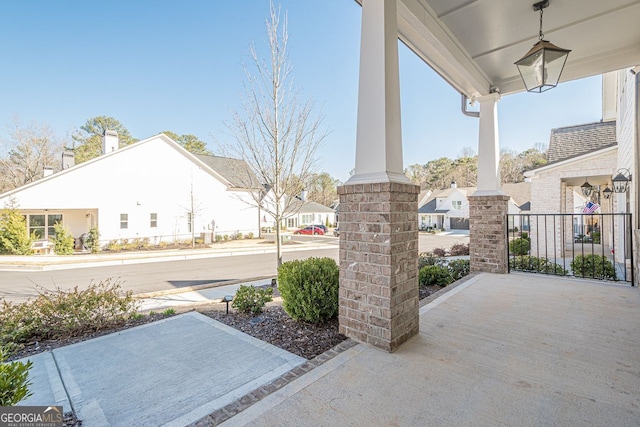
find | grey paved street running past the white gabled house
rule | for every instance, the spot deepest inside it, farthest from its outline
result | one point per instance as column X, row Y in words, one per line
column 166, row 275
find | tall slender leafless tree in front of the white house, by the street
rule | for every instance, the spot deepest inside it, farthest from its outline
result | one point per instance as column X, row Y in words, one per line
column 276, row 134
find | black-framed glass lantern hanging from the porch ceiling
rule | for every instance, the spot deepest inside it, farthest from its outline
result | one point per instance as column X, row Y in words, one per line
column 541, row 67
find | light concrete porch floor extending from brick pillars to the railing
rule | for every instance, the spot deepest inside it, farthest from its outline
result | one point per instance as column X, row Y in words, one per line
column 498, row 350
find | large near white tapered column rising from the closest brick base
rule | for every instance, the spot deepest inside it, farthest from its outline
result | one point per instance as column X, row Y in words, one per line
column 379, row 136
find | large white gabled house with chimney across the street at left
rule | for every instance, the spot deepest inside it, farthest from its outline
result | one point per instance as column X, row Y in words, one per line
column 152, row 189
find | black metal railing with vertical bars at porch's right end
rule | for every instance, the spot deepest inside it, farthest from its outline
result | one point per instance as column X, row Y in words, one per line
column 595, row 246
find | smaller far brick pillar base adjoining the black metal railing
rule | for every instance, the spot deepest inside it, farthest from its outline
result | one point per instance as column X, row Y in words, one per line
column 488, row 233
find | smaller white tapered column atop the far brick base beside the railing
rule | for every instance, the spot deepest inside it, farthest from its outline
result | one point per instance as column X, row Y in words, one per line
column 488, row 147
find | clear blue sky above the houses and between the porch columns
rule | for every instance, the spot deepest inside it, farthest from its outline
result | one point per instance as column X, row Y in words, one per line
column 166, row 65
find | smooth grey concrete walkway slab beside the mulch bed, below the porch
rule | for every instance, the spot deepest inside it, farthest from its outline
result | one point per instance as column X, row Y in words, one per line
column 172, row 372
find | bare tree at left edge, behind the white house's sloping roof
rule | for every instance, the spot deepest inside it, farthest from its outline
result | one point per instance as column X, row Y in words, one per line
column 29, row 150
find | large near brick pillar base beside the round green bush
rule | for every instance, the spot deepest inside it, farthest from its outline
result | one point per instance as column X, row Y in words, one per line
column 379, row 263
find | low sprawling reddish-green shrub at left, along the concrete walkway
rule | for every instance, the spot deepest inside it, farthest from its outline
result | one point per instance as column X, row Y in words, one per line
column 61, row 314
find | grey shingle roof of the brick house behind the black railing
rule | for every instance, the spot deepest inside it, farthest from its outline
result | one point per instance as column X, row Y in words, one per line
column 573, row 141
